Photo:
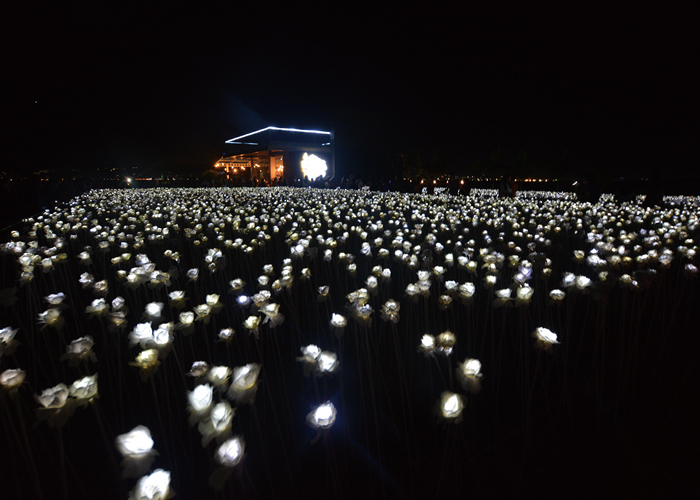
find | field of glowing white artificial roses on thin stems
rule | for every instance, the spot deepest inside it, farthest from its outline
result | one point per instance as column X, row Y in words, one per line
column 282, row 343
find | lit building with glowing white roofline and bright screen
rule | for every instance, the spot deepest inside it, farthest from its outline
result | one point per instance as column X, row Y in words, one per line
column 279, row 152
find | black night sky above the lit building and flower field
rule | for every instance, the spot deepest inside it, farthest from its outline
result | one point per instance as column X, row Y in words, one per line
column 165, row 87
